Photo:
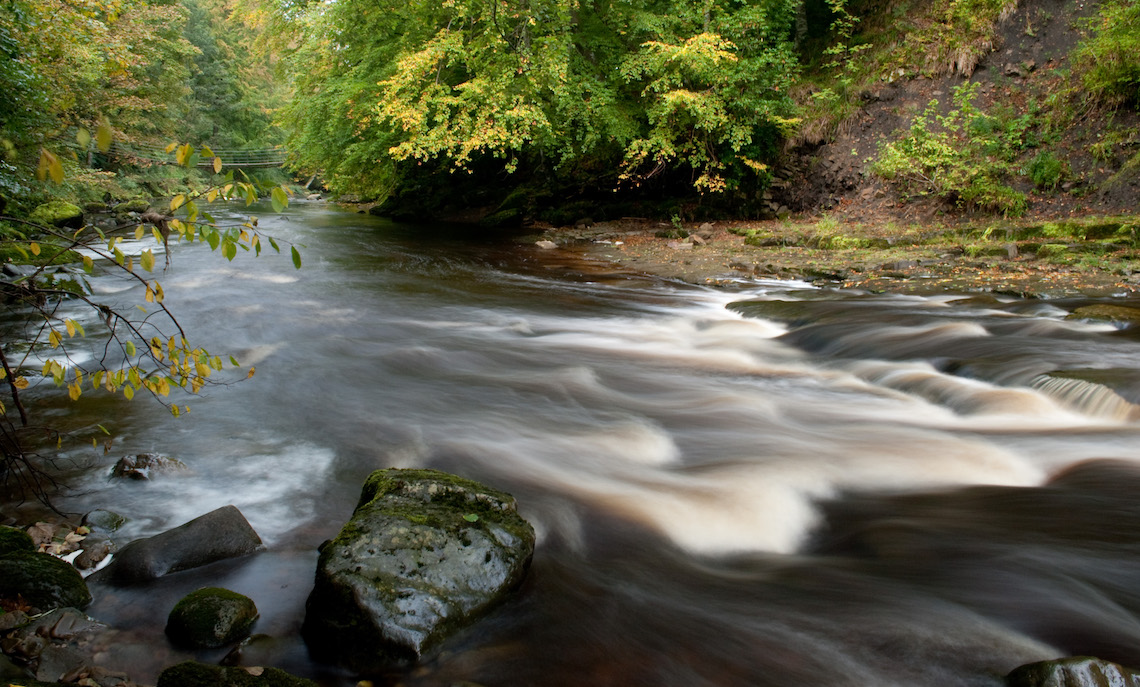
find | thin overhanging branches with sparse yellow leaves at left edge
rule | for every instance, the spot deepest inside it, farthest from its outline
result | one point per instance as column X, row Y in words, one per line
column 146, row 351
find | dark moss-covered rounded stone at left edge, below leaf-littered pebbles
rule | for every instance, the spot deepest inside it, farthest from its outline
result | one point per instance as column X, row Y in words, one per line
column 43, row 582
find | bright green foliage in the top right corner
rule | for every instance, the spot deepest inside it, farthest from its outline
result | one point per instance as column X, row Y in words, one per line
column 1109, row 60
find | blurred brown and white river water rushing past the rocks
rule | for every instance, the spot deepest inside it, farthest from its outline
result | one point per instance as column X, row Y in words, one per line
column 772, row 485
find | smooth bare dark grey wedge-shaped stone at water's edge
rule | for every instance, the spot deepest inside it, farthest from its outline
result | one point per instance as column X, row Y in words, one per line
column 219, row 535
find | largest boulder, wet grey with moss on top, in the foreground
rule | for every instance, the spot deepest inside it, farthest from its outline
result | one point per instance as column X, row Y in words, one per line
column 424, row 555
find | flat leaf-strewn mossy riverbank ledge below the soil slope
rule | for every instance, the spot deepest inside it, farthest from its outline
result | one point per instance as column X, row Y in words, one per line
column 1095, row 257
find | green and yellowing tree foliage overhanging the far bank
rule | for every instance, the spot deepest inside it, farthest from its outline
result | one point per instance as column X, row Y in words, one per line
column 620, row 93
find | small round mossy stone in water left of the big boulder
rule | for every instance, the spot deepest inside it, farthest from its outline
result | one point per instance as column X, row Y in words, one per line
column 211, row 618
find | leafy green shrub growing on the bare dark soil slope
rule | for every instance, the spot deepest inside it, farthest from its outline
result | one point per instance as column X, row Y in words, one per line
column 958, row 157
